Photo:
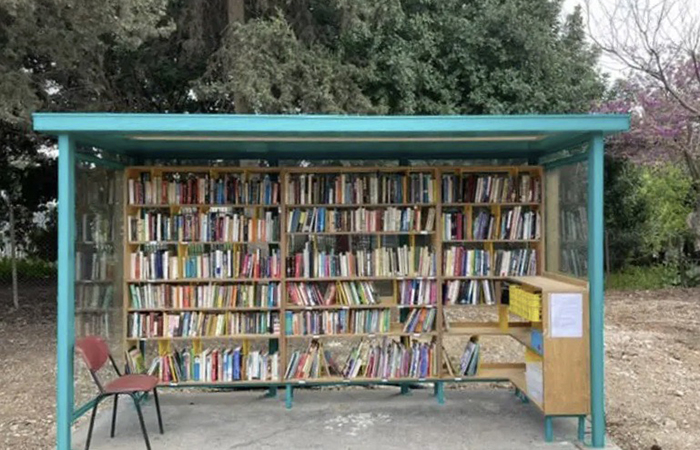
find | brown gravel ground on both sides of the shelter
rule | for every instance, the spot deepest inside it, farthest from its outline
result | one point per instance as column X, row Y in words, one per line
column 652, row 348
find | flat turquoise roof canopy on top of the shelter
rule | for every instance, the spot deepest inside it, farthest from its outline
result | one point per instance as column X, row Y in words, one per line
column 202, row 136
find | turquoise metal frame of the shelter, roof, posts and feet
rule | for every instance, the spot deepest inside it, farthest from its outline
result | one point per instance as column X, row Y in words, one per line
column 146, row 136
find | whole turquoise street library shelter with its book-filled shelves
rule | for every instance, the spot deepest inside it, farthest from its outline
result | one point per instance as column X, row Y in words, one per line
column 230, row 250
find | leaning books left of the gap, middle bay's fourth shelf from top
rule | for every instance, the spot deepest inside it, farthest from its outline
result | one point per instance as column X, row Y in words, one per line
column 339, row 293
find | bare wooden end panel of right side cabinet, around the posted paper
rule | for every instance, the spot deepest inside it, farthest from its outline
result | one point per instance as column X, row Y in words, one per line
column 566, row 361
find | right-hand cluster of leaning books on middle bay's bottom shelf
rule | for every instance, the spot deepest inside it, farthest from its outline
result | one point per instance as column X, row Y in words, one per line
column 391, row 359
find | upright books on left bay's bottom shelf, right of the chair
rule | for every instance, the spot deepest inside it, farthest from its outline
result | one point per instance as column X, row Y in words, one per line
column 214, row 365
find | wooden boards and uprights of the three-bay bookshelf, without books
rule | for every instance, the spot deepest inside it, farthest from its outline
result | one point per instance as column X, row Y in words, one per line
column 290, row 243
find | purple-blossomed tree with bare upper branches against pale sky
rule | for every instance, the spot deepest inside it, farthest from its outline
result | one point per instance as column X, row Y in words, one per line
column 659, row 42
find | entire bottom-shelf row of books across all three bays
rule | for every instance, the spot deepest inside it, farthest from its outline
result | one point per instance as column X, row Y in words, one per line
column 368, row 359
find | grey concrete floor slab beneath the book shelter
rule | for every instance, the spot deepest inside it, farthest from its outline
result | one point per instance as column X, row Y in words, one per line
column 332, row 419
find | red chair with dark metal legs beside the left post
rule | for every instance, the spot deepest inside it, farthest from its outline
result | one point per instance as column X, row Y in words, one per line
column 95, row 353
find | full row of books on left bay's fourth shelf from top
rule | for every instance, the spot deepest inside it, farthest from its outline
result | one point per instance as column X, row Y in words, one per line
column 149, row 296
